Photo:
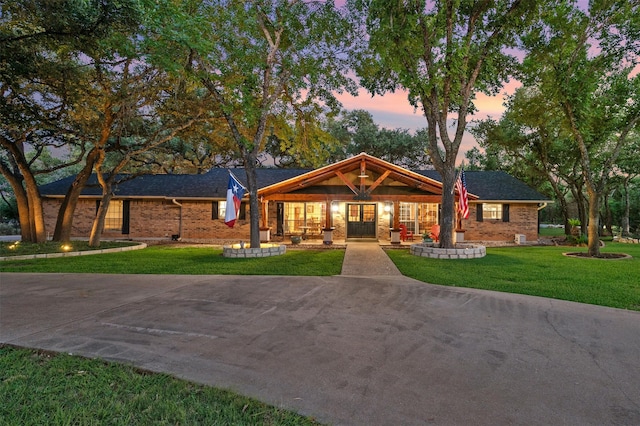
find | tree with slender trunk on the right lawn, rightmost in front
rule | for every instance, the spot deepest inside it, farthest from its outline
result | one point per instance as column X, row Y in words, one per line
column 582, row 61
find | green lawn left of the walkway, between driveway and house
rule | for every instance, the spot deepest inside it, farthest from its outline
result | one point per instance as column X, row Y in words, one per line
column 186, row 260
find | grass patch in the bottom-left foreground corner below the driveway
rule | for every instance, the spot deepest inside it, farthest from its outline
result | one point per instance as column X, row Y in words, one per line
column 42, row 388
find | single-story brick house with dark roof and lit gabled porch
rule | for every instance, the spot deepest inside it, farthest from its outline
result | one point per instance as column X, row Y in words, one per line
column 361, row 197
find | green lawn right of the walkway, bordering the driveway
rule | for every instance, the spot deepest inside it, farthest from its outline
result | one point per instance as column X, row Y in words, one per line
column 537, row 271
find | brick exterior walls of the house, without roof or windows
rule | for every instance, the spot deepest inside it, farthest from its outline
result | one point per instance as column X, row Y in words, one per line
column 160, row 218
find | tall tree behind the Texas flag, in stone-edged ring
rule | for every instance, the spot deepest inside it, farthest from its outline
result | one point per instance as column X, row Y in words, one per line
column 260, row 59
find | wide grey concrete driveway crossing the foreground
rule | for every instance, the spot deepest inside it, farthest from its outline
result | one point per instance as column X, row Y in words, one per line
column 383, row 350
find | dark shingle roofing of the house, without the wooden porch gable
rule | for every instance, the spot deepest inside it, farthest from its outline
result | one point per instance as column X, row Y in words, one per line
column 487, row 185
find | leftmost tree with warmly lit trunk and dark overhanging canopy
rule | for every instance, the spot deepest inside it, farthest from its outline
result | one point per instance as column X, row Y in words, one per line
column 40, row 42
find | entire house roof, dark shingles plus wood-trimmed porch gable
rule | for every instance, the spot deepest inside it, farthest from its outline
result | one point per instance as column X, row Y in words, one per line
column 486, row 185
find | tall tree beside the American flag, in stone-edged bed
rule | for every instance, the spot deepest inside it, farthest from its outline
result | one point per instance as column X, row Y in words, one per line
column 441, row 53
